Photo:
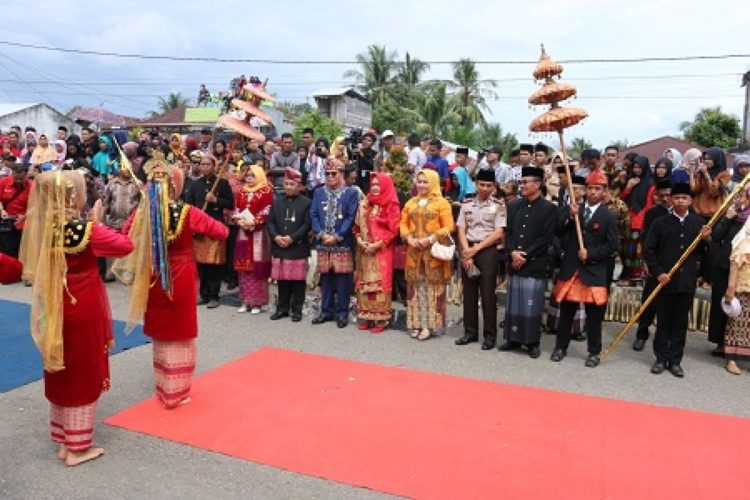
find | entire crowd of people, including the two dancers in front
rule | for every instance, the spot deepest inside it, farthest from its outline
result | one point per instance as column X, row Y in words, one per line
column 383, row 219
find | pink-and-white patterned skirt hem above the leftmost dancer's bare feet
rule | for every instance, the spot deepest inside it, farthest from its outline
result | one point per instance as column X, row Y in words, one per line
column 73, row 426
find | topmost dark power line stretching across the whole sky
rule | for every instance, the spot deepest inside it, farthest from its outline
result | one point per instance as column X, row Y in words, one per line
column 340, row 62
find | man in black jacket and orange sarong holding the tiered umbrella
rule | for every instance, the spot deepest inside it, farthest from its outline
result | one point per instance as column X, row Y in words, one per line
column 583, row 273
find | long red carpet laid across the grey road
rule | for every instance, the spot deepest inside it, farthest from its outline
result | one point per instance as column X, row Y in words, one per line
column 425, row 435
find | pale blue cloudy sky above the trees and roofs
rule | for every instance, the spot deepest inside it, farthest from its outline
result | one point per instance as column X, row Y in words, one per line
column 633, row 101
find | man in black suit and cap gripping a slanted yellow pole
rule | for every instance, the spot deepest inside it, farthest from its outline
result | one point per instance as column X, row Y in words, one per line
column 667, row 240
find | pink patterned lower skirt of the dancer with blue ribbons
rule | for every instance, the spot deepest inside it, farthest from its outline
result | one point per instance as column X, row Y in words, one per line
column 174, row 364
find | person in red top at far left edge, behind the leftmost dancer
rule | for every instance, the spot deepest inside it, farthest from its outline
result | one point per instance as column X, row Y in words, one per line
column 14, row 198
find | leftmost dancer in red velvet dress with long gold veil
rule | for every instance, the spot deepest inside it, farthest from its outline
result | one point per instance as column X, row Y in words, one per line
column 70, row 317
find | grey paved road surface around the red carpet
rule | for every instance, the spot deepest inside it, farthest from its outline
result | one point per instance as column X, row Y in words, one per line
column 138, row 466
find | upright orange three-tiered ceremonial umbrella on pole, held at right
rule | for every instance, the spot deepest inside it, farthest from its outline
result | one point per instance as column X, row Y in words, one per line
column 558, row 118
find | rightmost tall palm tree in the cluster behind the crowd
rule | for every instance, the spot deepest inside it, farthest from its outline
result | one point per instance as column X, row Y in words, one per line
column 471, row 92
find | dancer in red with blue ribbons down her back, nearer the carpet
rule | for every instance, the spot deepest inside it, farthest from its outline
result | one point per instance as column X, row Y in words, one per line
column 164, row 278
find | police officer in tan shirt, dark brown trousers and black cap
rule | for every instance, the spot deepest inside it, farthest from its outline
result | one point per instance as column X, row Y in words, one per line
column 481, row 223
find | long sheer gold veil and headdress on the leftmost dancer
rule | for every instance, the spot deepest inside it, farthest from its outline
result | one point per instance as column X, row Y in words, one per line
column 55, row 198
